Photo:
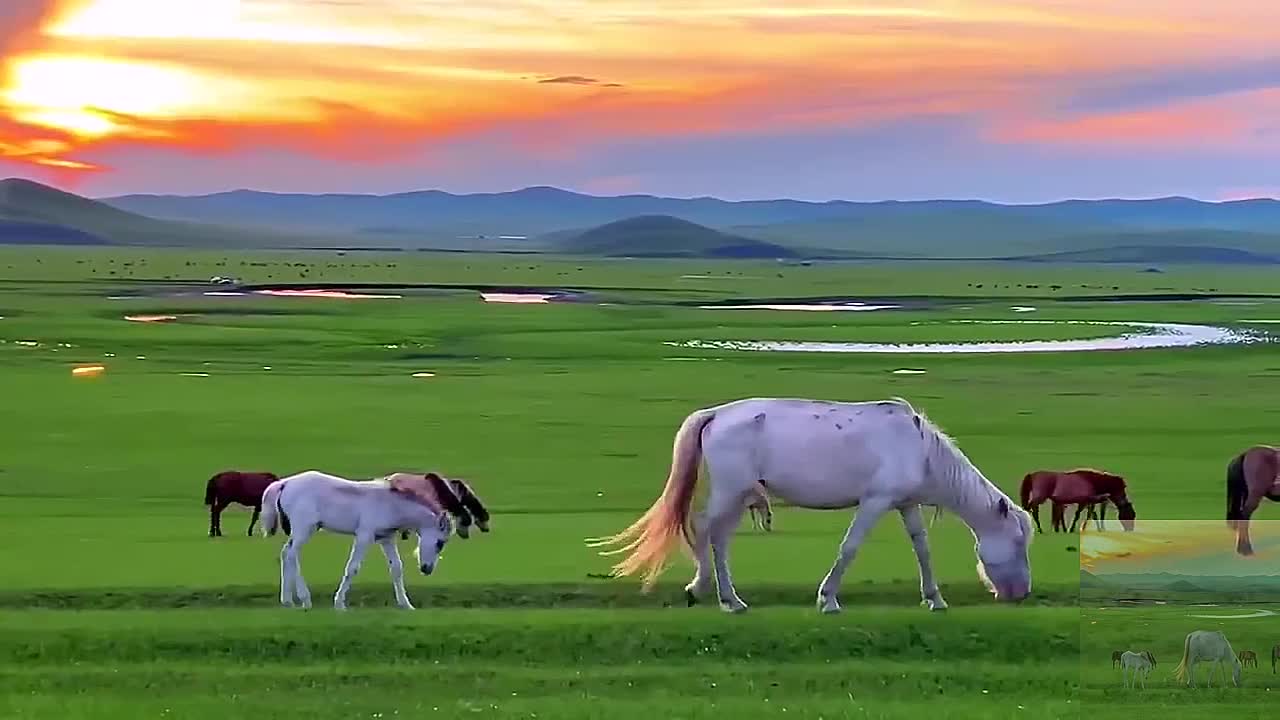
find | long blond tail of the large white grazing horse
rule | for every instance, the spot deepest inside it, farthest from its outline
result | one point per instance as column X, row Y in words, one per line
column 652, row 539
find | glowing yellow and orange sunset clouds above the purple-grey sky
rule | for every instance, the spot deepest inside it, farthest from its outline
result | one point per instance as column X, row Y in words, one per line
column 368, row 80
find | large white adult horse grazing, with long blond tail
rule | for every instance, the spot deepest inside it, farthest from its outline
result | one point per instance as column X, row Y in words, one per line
column 877, row 457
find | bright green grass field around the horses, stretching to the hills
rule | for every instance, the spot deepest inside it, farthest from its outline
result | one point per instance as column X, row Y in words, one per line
column 563, row 418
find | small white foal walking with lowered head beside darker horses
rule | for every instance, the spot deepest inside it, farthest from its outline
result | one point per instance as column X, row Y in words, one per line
column 371, row 511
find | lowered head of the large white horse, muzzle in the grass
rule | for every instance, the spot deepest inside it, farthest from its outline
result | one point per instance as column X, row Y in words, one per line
column 1003, row 552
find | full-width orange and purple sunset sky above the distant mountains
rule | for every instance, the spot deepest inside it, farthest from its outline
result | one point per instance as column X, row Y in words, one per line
column 1005, row 101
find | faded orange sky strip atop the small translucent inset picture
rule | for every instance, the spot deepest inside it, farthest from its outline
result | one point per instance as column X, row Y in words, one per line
column 1192, row 548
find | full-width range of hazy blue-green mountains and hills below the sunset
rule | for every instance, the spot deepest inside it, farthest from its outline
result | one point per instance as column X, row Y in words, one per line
column 546, row 220
